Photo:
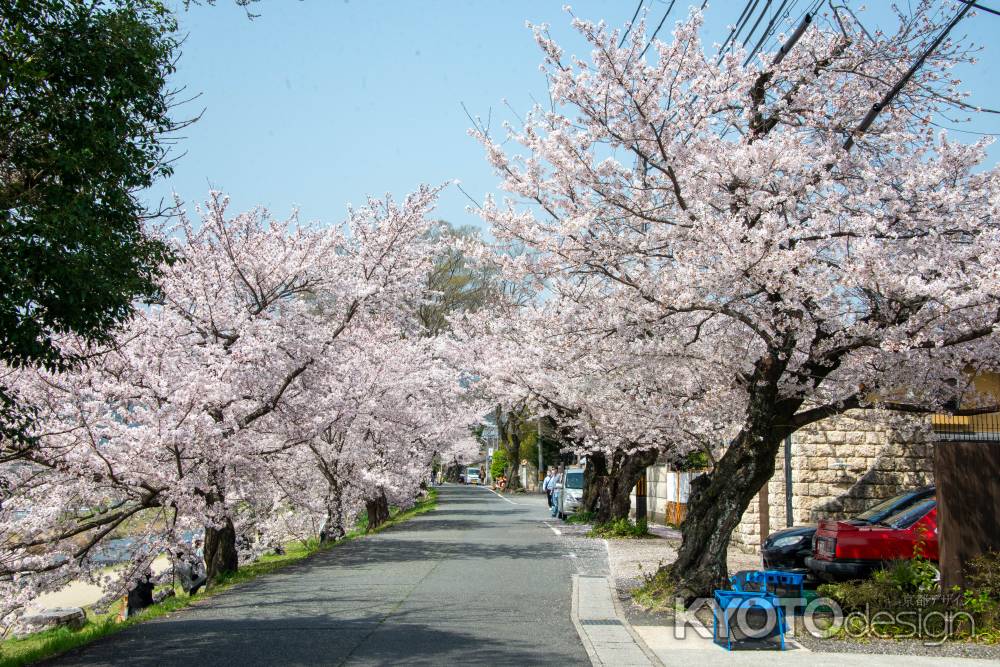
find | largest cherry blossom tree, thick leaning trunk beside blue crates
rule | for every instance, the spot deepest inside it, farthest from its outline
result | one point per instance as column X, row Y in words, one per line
column 796, row 249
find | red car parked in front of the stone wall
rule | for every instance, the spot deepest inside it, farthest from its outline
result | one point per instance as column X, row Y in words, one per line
column 843, row 550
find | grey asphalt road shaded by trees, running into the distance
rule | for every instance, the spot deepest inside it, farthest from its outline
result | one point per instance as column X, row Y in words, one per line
column 477, row 581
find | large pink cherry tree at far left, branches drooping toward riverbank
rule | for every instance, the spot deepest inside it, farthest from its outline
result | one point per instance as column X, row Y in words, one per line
column 163, row 428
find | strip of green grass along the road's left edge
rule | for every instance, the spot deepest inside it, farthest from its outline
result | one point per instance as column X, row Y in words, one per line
column 48, row 644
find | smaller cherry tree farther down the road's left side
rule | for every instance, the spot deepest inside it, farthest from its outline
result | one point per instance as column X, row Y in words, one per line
column 376, row 418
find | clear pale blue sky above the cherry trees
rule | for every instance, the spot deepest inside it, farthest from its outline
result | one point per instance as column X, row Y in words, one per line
column 318, row 103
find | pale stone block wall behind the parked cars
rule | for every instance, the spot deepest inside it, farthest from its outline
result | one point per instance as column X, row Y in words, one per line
column 840, row 467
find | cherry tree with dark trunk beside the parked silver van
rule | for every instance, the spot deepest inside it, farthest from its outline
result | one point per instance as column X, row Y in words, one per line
column 622, row 407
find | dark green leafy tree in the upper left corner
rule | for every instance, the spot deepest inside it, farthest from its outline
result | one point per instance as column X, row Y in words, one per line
column 85, row 108
